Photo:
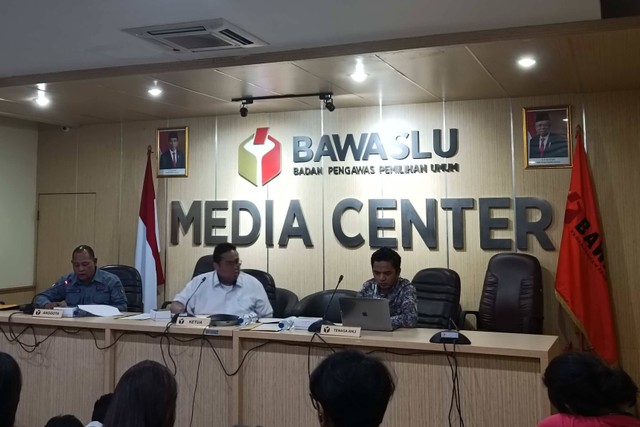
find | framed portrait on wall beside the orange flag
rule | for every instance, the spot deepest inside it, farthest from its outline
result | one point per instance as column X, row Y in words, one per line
column 547, row 137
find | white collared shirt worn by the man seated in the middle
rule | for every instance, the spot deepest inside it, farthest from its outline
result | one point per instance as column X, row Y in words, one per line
column 246, row 296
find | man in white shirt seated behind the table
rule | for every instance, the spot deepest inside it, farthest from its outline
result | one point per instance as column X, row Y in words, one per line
column 226, row 290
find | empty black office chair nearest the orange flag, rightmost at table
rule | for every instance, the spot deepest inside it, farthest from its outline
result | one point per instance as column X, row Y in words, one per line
column 511, row 299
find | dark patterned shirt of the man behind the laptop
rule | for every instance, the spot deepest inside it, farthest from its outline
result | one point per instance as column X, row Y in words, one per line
column 403, row 303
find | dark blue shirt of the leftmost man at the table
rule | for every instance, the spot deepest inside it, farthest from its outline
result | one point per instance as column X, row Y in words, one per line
column 104, row 288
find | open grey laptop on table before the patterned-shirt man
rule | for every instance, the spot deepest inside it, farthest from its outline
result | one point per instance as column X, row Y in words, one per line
column 369, row 313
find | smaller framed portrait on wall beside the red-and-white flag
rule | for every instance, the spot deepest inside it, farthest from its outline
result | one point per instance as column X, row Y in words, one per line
column 173, row 151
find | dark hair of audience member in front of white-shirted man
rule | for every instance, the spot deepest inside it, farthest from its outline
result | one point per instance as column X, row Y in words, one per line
column 144, row 397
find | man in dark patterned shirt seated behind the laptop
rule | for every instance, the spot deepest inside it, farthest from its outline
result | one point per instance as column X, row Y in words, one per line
column 387, row 283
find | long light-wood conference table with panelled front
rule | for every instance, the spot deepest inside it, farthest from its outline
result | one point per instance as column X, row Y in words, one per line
column 234, row 375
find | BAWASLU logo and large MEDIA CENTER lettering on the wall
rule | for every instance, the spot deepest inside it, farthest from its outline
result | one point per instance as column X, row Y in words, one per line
column 259, row 162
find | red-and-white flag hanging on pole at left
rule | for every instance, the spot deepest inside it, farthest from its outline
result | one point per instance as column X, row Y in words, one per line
column 147, row 243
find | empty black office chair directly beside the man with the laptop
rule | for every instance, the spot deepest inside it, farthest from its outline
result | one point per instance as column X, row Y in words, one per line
column 438, row 292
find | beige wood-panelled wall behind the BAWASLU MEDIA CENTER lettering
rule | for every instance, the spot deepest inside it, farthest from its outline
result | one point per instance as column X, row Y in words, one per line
column 109, row 160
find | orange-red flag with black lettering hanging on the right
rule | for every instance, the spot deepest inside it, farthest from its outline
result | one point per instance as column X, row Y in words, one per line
column 581, row 280
